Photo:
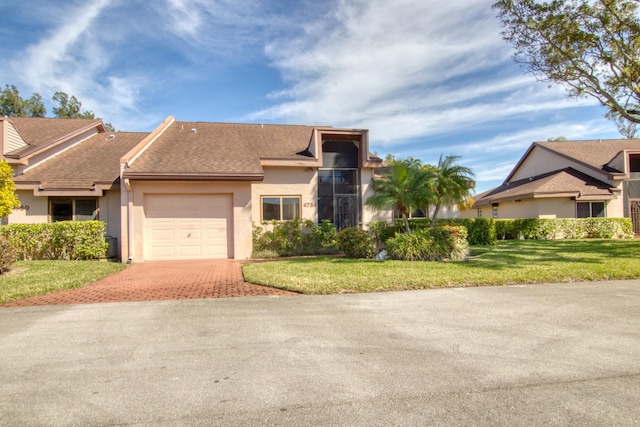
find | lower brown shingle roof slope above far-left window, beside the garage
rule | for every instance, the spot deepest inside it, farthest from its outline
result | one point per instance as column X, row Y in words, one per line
column 95, row 160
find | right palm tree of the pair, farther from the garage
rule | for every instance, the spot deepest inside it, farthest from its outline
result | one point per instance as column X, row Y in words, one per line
column 451, row 183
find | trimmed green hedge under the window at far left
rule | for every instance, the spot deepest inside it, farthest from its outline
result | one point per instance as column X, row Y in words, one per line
column 69, row 240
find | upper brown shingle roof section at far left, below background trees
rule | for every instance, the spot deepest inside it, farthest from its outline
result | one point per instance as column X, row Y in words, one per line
column 38, row 132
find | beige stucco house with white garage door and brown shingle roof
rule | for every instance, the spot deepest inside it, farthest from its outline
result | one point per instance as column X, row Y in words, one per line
column 188, row 190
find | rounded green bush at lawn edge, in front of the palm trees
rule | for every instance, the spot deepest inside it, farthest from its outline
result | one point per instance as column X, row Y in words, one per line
column 430, row 244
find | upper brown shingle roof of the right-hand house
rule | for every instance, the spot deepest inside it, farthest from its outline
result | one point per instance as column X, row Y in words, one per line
column 595, row 153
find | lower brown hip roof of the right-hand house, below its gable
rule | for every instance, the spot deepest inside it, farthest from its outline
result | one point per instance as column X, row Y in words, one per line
column 564, row 181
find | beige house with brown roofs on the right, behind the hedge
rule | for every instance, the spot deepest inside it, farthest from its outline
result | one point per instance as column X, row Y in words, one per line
column 569, row 179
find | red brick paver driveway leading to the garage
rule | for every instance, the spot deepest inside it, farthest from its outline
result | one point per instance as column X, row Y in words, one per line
column 161, row 280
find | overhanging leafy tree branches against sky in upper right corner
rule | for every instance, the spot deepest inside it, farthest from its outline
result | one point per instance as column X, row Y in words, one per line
column 592, row 47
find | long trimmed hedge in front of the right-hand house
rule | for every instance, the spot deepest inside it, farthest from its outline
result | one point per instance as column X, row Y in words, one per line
column 564, row 228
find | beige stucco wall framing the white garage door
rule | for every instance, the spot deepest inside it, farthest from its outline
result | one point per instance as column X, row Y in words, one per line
column 241, row 196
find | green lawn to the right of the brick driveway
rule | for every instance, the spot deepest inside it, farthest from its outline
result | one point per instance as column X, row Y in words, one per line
column 509, row 262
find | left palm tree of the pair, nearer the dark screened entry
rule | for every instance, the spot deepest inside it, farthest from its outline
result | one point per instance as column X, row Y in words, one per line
column 403, row 184
